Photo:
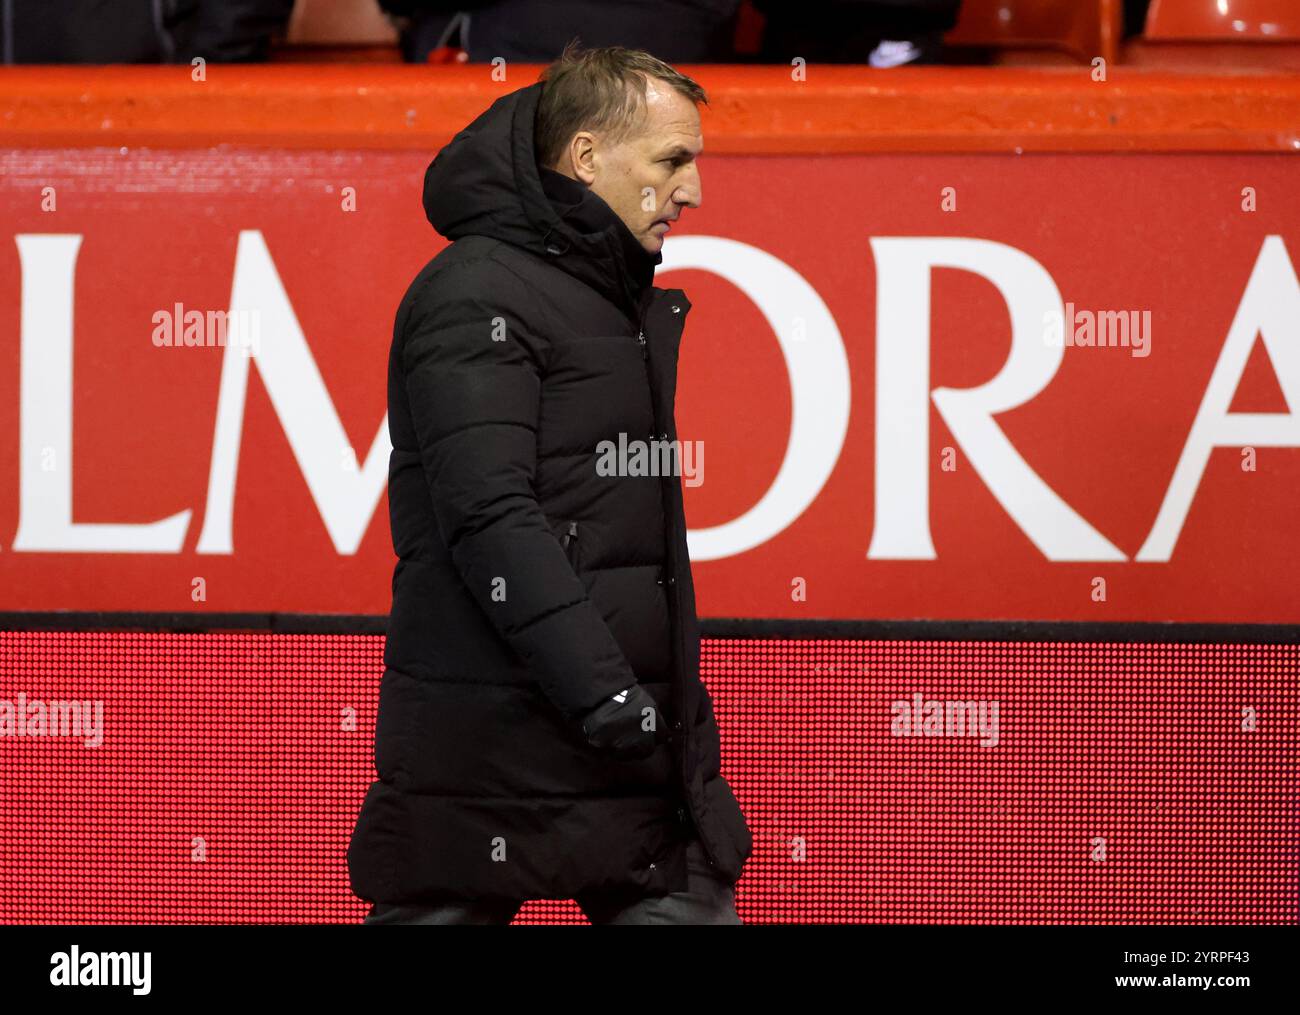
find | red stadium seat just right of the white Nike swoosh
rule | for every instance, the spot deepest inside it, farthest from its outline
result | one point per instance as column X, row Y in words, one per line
column 1086, row 29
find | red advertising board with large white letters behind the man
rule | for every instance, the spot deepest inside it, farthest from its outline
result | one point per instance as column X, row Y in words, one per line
column 898, row 418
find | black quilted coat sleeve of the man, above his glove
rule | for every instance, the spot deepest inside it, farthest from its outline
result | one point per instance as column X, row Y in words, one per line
column 474, row 363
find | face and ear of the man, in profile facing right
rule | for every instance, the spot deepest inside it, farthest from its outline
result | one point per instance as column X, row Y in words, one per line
column 648, row 177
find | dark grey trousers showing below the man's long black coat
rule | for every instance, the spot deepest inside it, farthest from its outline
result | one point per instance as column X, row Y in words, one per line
column 708, row 900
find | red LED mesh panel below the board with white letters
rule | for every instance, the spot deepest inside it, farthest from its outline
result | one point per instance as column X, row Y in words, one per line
column 886, row 782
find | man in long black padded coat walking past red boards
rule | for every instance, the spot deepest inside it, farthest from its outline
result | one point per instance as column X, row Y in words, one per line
column 543, row 730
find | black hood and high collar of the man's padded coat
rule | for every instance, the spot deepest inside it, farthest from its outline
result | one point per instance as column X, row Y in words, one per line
column 487, row 183
